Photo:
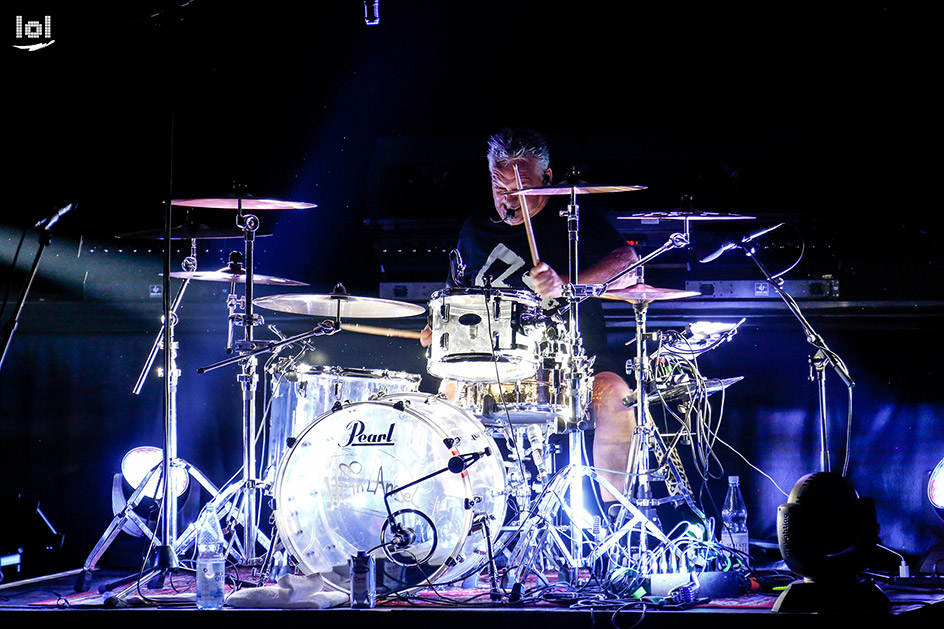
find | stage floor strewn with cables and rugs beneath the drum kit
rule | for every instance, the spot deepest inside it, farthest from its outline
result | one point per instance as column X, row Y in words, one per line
column 556, row 606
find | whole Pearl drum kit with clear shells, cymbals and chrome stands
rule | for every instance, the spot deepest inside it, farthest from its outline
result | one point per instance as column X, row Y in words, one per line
column 436, row 487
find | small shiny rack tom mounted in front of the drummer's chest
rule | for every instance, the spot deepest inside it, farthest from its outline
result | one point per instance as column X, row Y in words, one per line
column 484, row 335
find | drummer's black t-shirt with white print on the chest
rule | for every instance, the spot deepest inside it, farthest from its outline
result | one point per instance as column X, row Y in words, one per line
column 500, row 251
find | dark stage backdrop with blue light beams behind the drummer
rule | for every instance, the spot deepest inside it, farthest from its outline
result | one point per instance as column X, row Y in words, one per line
column 822, row 118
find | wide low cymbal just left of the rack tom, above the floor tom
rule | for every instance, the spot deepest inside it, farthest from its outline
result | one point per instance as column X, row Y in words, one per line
column 339, row 304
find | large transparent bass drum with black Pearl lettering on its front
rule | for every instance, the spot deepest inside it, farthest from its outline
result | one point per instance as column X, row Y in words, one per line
column 330, row 492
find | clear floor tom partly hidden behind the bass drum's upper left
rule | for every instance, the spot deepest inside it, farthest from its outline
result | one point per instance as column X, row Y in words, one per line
column 307, row 392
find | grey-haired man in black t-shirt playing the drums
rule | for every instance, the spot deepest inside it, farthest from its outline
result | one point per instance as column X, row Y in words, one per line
column 495, row 251
